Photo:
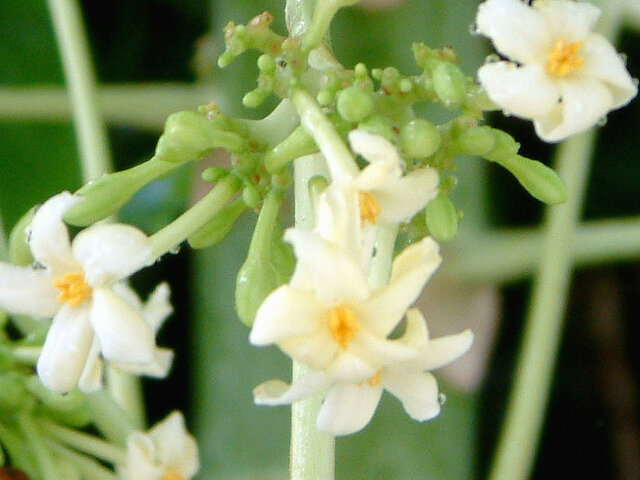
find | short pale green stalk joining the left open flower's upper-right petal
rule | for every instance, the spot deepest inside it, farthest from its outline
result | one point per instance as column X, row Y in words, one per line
column 177, row 231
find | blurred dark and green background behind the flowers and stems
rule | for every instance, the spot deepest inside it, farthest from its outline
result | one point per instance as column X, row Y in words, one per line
column 142, row 41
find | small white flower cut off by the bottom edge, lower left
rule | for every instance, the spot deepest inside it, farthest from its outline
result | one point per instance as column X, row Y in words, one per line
column 166, row 452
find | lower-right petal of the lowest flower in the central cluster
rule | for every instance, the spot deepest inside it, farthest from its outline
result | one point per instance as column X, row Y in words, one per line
column 418, row 392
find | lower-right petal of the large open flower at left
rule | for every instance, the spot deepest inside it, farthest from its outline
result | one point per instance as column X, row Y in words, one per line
column 123, row 334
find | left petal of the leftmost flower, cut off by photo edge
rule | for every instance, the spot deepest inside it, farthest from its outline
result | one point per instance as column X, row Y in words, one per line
column 26, row 291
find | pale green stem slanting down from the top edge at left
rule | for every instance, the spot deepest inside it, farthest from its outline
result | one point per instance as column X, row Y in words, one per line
column 91, row 132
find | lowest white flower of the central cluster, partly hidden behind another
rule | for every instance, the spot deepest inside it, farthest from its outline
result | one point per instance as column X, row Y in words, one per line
column 348, row 407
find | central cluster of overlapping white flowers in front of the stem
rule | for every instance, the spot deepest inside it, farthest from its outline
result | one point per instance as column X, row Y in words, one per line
column 330, row 319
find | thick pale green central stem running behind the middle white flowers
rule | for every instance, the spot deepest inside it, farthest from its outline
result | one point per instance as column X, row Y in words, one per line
column 312, row 451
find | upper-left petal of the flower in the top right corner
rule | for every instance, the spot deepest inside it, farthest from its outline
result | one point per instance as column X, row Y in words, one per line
column 516, row 30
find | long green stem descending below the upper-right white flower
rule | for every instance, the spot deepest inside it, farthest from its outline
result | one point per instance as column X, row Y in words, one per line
column 534, row 371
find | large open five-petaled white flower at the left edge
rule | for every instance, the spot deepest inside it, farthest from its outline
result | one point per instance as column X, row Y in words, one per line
column 74, row 285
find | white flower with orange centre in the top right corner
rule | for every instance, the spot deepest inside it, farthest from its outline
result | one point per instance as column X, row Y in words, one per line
column 561, row 74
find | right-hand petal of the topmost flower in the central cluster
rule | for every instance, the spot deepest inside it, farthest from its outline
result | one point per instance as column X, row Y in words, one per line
column 401, row 200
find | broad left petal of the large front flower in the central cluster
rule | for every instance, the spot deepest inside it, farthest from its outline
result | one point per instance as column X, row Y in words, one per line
column 287, row 312
